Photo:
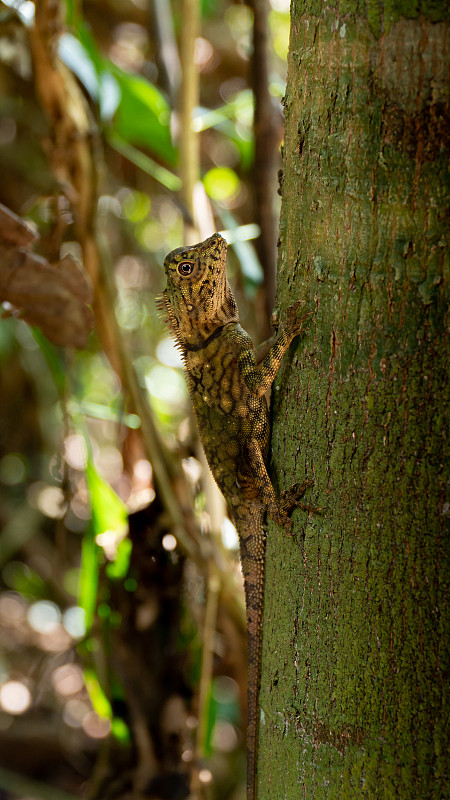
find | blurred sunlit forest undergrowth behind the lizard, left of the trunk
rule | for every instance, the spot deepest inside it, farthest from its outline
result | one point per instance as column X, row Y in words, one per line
column 106, row 687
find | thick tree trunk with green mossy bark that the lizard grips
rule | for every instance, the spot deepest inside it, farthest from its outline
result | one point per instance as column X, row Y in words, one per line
column 354, row 699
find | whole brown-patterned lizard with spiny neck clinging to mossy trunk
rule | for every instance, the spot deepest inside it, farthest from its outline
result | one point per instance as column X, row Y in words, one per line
column 227, row 388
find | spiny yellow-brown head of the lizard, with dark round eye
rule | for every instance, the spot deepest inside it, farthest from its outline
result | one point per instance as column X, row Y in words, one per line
column 198, row 298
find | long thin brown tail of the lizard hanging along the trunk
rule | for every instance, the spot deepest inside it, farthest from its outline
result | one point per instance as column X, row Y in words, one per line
column 248, row 523
